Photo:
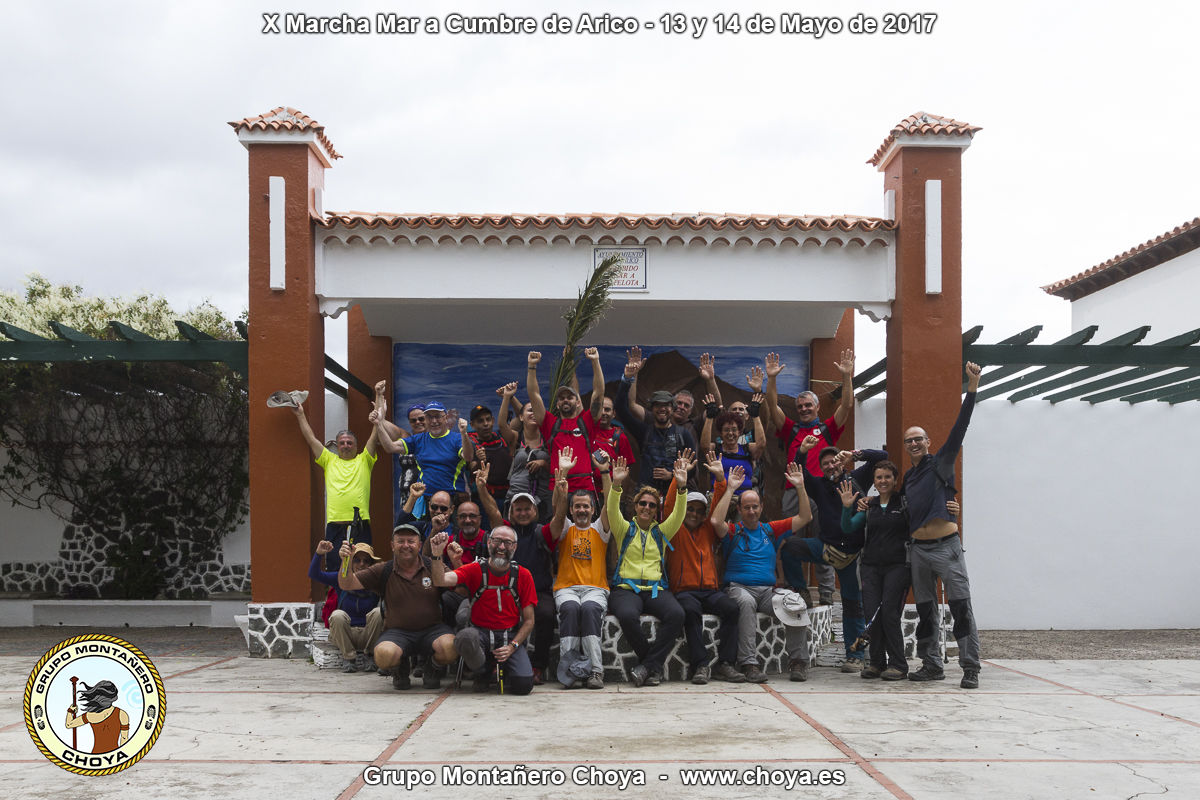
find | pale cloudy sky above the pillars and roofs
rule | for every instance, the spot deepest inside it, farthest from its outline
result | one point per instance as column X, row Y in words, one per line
column 122, row 175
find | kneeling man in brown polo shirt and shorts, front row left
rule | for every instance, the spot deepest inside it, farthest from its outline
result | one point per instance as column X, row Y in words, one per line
column 412, row 609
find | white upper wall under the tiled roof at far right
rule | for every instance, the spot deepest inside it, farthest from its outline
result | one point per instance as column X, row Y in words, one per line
column 1163, row 297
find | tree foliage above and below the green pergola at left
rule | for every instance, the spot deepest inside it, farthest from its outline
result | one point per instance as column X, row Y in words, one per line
column 133, row 453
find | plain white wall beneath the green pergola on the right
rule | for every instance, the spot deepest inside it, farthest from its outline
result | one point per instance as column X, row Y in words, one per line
column 1072, row 514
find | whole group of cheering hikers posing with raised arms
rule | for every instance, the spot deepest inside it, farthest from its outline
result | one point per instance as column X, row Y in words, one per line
column 531, row 519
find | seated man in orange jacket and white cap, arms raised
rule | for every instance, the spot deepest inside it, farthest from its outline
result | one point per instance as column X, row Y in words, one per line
column 693, row 578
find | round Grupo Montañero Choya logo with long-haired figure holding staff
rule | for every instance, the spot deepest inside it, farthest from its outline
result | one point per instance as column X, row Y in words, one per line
column 95, row 705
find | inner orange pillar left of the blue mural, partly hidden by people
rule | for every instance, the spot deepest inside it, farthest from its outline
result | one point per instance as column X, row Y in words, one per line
column 370, row 359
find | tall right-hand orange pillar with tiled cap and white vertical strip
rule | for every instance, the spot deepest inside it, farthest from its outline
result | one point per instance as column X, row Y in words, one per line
column 922, row 166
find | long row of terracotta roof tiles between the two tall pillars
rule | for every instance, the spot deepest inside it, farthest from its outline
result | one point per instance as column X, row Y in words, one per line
column 607, row 221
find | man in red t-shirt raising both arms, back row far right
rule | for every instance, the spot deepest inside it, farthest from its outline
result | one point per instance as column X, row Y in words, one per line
column 793, row 434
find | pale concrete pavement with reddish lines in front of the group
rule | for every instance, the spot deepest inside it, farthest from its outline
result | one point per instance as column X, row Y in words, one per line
column 253, row 729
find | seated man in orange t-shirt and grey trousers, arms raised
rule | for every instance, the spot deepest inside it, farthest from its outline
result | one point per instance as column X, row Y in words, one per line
column 581, row 590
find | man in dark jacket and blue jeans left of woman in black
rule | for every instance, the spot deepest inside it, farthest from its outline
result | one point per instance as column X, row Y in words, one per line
column 833, row 546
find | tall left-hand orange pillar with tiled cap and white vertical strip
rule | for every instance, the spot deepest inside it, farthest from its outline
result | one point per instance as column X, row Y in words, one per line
column 287, row 346
